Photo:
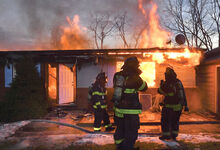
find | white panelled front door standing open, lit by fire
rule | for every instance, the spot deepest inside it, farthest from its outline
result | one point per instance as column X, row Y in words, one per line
column 66, row 85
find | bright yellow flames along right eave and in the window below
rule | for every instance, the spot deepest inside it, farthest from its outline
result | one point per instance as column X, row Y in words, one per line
column 182, row 58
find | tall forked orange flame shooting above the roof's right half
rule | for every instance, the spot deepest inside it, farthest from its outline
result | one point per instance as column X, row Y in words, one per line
column 153, row 35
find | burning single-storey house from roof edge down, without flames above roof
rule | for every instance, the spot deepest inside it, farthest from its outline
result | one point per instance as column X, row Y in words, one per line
column 68, row 74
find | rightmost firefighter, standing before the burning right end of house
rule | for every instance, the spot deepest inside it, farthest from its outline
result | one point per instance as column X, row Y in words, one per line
column 173, row 104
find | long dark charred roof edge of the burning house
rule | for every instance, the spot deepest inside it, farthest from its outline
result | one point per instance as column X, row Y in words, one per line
column 68, row 56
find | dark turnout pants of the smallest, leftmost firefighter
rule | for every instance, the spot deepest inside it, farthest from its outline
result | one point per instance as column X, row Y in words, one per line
column 101, row 115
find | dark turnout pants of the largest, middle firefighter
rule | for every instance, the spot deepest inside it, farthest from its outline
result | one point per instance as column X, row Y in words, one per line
column 126, row 132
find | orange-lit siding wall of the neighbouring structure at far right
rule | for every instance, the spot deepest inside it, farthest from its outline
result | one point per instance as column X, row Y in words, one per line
column 206, row 80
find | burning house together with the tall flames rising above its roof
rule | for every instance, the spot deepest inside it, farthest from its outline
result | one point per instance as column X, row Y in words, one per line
column 69, row 67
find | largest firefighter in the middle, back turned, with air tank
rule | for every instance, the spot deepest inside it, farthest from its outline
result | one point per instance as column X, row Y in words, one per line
column 127, row 107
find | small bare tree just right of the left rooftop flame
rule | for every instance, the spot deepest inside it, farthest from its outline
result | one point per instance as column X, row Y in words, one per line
column 101, row 26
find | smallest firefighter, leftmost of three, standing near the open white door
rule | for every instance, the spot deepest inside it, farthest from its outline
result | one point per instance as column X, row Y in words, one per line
column 97, row 97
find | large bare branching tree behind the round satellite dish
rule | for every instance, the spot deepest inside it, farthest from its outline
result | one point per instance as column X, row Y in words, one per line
column 190, row 17
